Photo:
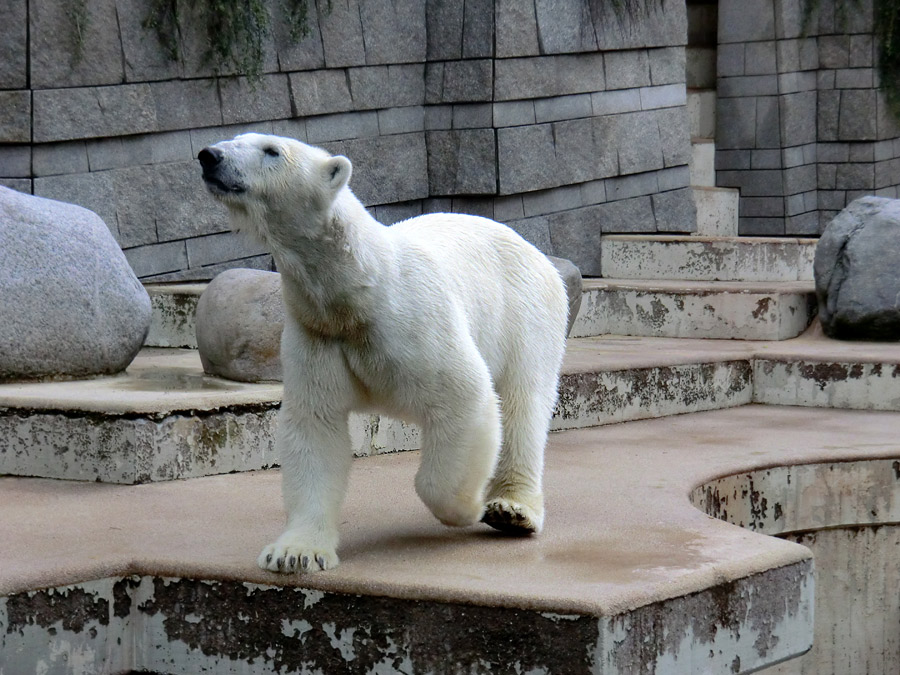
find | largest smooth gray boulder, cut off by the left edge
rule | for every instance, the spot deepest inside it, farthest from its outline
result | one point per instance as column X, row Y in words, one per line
column 70, row 305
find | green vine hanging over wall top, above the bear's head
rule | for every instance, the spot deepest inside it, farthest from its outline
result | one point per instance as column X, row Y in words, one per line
column 235, row 30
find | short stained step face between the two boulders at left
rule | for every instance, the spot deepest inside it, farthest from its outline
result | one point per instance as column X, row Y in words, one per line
column 173, row 307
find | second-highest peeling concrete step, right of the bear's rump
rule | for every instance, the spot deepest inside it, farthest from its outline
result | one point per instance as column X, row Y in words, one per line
column 693, row 309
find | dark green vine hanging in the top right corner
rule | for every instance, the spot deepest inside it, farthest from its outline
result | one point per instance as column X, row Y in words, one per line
column 886, row 29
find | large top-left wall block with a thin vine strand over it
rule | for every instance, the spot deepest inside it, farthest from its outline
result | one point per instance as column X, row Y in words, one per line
column 55, row 59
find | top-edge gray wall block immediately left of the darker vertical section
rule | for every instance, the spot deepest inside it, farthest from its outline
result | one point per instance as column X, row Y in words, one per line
column 393, row 31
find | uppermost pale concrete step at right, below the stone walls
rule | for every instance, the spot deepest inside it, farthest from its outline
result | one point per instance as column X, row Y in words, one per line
column 698, row 258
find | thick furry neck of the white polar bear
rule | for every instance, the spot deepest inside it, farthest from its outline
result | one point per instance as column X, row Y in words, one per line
column 329, row 272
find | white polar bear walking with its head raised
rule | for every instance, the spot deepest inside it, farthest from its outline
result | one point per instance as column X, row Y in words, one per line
column 449, row 321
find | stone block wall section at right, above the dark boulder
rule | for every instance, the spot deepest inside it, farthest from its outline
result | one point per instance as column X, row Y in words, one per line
column 802, row 129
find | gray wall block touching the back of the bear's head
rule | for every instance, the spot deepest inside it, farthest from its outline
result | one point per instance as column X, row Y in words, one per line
column 388, row 169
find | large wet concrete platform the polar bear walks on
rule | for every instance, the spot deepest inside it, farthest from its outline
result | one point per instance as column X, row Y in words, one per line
column 628, row 576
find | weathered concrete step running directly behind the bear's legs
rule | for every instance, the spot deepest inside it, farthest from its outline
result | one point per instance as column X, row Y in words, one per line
column 166, row 420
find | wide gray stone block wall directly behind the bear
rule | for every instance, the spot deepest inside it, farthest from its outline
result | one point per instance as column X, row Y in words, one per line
column 559, row 118
